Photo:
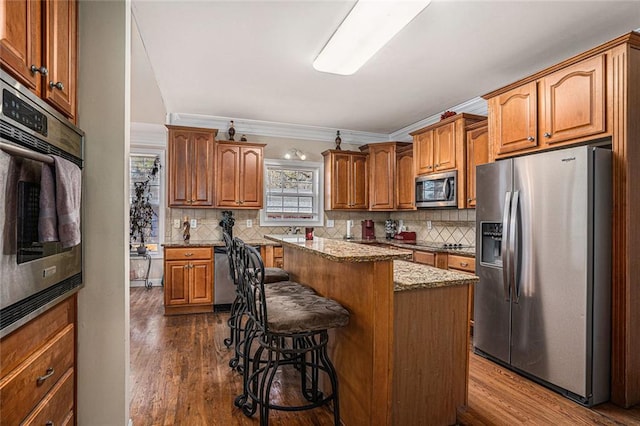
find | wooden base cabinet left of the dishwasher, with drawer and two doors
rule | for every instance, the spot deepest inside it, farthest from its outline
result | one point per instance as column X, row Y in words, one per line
column 188, row 276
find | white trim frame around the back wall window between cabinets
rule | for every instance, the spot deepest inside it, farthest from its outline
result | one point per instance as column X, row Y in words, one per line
column 318, row 170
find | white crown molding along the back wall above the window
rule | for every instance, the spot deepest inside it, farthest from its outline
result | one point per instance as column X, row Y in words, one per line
column 280, row 130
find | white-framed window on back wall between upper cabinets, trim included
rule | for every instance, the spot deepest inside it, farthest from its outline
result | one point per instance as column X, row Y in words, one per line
column 293, row 194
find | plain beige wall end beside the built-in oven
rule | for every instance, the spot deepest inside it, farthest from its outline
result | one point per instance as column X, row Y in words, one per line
column 103, row 304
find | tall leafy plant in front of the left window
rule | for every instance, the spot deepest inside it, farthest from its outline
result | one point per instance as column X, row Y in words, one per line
column 140, row 211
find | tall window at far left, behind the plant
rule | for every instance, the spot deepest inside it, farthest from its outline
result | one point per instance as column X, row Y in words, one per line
column 141, row 169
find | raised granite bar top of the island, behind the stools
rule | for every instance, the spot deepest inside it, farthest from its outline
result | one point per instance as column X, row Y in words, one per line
column 340, row 250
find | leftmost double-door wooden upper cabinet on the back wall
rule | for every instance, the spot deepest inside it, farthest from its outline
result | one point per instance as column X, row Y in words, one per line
column 190, row 166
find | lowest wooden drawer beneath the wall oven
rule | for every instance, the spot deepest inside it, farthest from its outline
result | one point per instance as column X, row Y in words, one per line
column 57, row 405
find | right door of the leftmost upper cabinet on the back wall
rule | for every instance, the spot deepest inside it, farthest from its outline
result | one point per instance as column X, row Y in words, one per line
column 202, row 158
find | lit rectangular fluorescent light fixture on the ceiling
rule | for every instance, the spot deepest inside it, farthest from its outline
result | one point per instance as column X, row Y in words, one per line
column 368, row 27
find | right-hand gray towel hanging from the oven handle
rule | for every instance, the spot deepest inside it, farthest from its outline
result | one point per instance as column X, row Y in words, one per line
column 68, row 192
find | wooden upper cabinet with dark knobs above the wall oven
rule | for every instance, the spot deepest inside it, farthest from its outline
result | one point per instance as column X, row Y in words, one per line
column 38, row 47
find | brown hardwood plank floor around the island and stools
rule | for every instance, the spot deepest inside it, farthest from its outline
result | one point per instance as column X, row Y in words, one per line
column 180, row 376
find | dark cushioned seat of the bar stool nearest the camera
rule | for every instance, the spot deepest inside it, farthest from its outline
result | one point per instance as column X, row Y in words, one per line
column 304, row 313
